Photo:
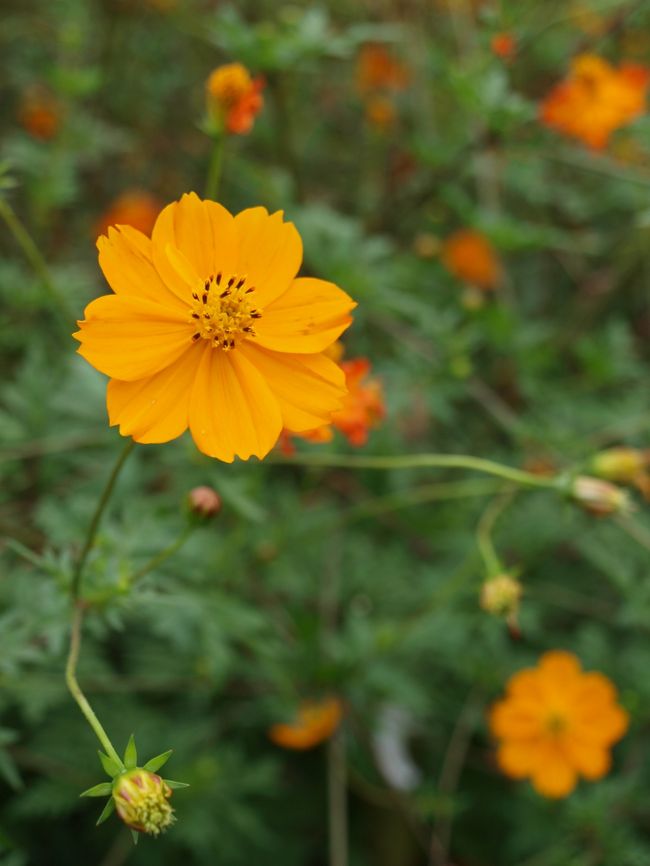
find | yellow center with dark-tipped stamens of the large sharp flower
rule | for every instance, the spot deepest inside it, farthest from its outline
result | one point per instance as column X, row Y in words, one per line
column 223, row 312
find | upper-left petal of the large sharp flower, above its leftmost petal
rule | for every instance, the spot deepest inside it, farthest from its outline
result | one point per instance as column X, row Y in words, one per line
column 126, row 259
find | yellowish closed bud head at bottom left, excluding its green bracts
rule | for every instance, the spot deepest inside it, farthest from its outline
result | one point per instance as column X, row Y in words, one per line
column 142, row 801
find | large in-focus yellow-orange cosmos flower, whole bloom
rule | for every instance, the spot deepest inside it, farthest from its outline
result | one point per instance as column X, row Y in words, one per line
column 209, row 328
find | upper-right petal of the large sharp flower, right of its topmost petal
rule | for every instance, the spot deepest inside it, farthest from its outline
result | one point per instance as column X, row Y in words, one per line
column 270, row 253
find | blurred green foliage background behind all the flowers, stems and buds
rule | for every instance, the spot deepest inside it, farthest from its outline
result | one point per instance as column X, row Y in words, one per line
column 316, row 580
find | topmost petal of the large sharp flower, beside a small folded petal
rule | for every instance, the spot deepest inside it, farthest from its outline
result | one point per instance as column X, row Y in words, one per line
column 203, row 231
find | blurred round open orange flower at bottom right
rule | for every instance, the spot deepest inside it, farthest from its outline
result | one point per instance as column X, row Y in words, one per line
column 557, row 723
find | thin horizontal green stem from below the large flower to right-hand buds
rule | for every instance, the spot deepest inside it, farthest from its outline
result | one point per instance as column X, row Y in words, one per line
column 422, row 461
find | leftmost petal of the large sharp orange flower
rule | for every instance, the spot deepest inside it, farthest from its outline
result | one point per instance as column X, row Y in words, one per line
column 129, row 339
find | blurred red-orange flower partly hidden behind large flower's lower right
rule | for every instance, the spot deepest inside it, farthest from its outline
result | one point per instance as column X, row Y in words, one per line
column 362, row 410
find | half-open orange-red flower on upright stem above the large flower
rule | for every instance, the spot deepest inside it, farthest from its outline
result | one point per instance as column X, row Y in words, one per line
column 234, row 98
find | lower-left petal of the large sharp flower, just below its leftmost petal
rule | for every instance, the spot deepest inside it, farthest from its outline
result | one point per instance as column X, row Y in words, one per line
column 155, row 409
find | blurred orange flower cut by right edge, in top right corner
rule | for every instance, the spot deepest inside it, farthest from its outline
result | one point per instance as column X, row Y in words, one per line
column 596, row 99
